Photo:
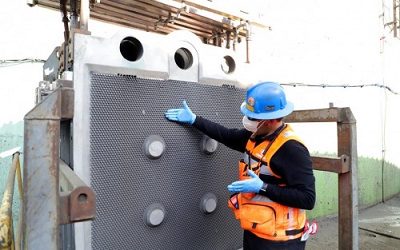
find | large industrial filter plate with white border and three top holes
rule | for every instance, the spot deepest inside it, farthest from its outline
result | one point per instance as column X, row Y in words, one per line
column 158, row 184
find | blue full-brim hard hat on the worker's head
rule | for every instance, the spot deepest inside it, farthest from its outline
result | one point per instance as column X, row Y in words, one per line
column 265, row 101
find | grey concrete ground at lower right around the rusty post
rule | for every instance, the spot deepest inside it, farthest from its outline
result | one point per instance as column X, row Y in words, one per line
column 379, row 228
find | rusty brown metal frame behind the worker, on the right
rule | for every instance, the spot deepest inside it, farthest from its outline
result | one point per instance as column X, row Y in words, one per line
column 345, row 165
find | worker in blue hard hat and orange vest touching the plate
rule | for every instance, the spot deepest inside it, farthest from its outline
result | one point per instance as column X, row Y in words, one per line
column 276, row 182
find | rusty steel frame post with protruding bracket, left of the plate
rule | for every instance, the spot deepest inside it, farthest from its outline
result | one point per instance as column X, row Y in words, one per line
column 44, row 207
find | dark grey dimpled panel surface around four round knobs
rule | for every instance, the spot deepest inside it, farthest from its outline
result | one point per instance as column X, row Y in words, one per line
column 124, row 111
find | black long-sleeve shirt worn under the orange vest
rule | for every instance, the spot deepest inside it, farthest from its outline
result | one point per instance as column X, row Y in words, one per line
column 292, row 162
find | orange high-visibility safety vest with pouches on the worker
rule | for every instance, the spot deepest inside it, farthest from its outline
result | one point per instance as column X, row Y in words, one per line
column 257, row 213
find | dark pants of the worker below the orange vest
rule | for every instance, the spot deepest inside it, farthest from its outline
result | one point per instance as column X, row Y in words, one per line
column 253, row 242
